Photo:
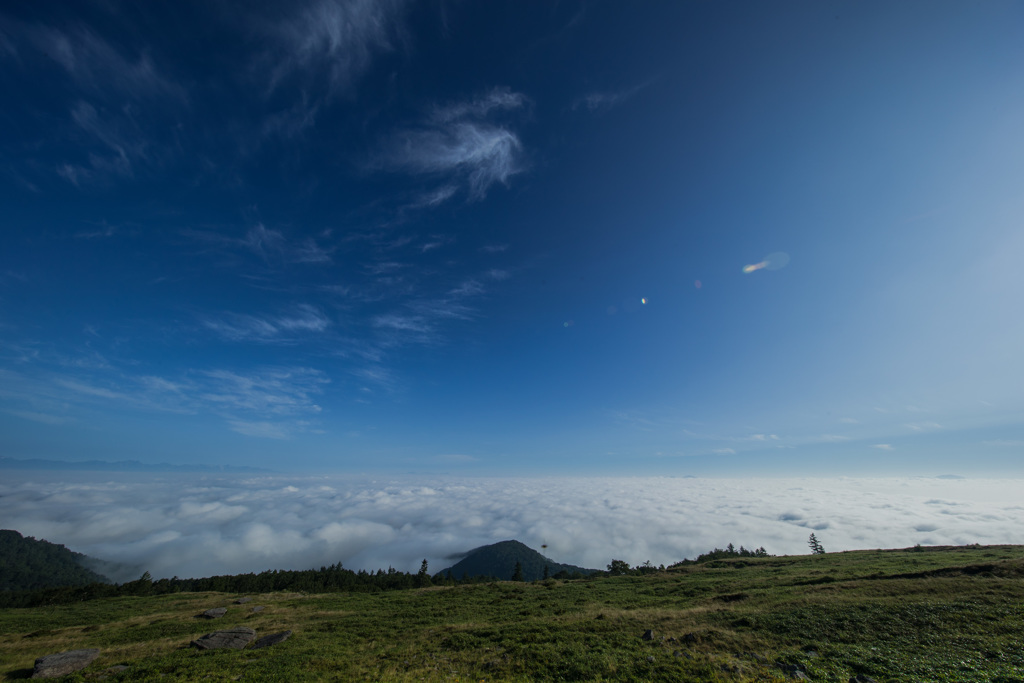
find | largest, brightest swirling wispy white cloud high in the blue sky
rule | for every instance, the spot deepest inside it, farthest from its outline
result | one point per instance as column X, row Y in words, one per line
column 457, row 143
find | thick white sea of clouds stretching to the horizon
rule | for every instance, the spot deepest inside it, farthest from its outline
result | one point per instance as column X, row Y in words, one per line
column 205, row 526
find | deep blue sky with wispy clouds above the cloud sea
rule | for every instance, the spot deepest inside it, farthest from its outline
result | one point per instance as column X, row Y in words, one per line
column 506, row 239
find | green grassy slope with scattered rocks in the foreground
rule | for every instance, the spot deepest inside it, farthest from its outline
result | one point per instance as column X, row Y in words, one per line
column 930, row 615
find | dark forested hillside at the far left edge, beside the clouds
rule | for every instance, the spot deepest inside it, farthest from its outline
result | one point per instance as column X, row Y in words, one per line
column 29, row 565
